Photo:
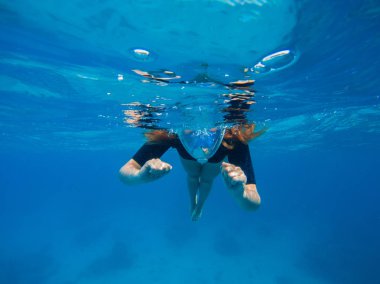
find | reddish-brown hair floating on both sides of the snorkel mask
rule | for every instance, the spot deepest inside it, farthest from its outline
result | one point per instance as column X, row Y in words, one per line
column 243, row 133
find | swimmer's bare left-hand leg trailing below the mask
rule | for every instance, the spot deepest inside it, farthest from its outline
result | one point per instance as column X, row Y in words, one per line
column 193, row 170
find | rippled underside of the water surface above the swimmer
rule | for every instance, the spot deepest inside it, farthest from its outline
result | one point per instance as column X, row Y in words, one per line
column 68, row 71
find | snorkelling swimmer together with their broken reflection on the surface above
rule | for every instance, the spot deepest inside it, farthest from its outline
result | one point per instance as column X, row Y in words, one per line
column 230, row 144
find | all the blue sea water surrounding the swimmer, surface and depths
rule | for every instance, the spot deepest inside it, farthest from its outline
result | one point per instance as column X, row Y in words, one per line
column 67, row 96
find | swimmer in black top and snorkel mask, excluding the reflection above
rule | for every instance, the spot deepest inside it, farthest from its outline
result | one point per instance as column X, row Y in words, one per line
column 237, row 172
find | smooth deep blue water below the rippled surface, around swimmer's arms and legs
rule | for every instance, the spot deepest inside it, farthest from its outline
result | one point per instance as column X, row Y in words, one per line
column 319, row 217
